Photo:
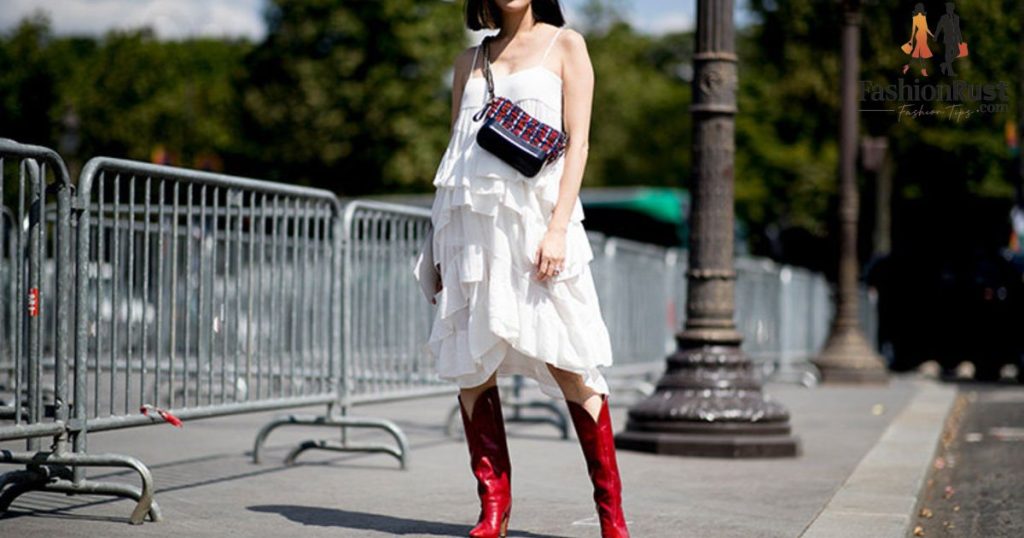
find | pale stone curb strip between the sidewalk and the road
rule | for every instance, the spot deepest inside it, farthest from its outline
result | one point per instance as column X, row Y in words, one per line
column 881, row 495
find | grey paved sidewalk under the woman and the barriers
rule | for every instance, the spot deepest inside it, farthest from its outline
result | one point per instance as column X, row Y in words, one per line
column 207, row 486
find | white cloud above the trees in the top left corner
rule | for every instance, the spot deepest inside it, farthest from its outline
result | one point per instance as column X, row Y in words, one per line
column 169, row 19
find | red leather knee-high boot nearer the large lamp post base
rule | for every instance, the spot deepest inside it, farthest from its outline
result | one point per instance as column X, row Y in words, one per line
column 600, row 449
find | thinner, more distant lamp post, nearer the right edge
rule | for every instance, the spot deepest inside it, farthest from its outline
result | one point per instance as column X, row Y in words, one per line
column 847, row 356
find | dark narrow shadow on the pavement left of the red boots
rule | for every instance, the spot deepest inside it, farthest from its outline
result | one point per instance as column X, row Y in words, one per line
column 372, row 522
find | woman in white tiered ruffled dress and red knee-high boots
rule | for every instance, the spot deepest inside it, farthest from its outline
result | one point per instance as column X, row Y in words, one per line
column 508, row 260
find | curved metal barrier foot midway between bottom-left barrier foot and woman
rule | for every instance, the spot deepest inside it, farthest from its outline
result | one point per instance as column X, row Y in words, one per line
column 401, row 451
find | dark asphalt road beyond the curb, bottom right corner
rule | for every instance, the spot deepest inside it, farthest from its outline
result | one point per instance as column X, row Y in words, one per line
column 976, row 485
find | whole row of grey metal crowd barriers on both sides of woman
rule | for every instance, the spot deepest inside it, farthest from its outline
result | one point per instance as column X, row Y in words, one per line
column 155, row 293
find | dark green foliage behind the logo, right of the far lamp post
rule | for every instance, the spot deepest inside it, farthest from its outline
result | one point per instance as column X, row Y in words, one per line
column 941, row 156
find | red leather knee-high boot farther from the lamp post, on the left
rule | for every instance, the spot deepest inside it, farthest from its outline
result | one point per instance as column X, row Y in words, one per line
column 489, row 457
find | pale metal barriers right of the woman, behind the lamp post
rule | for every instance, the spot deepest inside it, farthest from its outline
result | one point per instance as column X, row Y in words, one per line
column 784, row 312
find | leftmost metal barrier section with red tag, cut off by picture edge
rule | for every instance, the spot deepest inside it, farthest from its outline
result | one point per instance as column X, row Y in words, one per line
column 31, row 178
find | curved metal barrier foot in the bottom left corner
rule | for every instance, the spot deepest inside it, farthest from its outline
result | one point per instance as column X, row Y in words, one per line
column 58, row 481
